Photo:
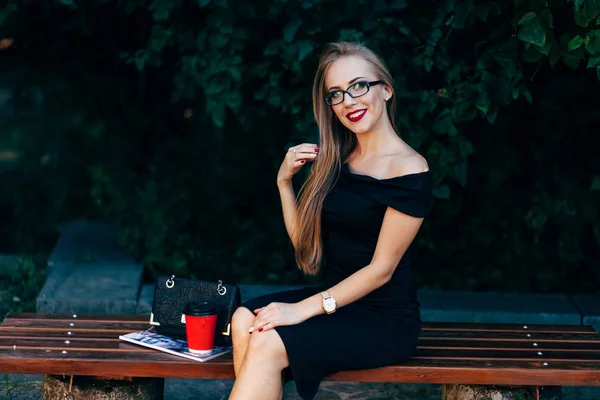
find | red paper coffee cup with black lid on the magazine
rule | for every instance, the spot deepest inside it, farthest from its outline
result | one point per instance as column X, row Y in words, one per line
column 200, row 324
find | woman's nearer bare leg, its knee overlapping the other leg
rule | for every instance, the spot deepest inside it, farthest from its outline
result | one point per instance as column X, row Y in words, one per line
column 260, row 372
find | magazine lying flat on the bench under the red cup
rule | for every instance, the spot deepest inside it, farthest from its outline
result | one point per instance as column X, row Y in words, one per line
column 150, row 338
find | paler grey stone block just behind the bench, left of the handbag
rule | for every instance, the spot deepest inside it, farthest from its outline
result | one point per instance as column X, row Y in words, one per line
column 91, row 288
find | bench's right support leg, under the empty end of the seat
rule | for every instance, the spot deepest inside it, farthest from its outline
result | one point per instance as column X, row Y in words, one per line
column 477, row 392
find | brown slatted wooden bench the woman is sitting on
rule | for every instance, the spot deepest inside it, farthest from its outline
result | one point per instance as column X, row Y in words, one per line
column 517, row 357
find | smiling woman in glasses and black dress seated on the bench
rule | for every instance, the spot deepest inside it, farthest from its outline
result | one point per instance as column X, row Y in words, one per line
column 358, row 212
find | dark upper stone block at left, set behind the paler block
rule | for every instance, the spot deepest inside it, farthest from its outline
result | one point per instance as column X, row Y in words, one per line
column 86, row 241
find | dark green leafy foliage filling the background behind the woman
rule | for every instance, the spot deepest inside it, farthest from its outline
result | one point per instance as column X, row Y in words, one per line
column 172, row 117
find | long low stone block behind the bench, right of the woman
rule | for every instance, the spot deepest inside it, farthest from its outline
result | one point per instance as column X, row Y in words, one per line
column 493, row 307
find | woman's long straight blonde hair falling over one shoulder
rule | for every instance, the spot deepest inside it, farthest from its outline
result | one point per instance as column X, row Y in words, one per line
column 336, row 143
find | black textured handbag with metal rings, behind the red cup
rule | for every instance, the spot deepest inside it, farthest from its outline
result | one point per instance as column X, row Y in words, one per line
column 171, row 295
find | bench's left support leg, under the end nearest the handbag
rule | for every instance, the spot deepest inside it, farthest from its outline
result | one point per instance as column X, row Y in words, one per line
column 65, row 387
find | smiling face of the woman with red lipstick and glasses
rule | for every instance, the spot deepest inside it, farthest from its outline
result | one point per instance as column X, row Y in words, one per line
column 364, row 113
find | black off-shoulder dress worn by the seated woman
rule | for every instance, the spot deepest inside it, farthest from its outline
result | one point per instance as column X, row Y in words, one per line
column 381, row 328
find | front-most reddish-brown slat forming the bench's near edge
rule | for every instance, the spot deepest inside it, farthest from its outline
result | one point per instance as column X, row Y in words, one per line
column 414, row 370
